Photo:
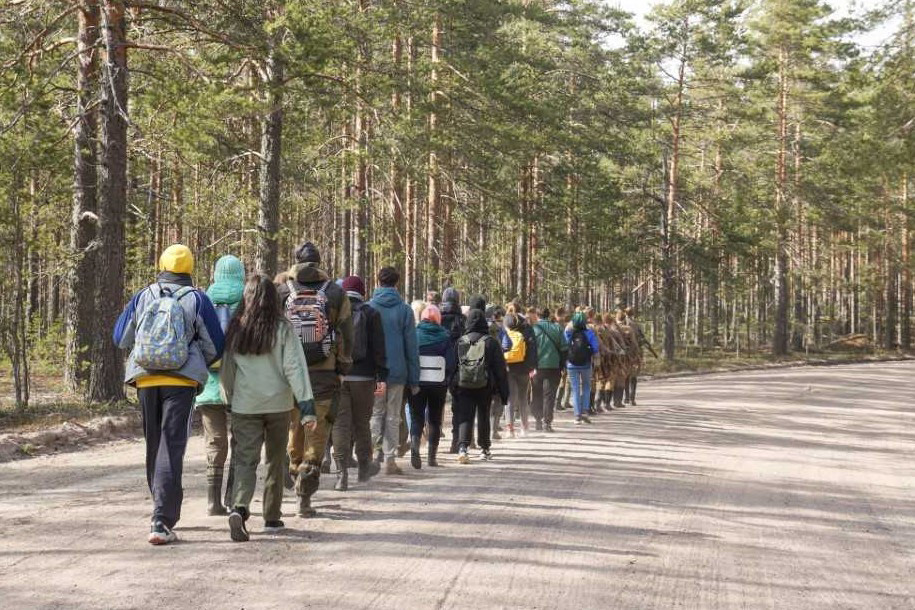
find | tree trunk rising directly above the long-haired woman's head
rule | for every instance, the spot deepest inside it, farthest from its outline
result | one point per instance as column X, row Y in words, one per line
column 268, row 222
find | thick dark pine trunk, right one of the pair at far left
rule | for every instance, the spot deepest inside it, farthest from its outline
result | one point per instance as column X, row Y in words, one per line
column 106, row 373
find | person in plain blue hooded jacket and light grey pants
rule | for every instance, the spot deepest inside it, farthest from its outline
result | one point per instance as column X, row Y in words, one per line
column 403, row 367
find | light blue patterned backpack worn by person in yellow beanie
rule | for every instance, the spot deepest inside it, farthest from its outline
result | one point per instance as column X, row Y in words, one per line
column 161, row 339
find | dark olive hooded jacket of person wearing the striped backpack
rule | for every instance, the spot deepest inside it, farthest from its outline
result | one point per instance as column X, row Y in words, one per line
column 307, row 276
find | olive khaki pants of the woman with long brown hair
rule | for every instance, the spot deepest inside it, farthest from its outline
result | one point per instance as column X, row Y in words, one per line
column 251, row 432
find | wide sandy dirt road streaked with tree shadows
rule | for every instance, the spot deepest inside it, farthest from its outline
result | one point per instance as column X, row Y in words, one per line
column 787, row 489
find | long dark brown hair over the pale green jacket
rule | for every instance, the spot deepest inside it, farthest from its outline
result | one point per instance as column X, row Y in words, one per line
column 253, row 327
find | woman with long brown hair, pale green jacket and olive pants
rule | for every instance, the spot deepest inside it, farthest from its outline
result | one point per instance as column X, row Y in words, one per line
column 264, row 371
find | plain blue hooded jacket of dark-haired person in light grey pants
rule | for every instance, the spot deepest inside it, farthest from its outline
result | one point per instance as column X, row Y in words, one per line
column 399, row 336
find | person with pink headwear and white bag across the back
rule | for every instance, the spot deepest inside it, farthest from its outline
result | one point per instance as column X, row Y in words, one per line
column 437, row 363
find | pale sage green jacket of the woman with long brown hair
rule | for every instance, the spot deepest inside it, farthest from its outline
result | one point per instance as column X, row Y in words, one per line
column 269, row 383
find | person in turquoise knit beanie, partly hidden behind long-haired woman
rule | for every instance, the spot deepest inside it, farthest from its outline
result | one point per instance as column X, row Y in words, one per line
column 225, row 292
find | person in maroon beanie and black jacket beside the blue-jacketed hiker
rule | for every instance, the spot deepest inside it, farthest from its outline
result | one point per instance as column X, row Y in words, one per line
column 366, row 378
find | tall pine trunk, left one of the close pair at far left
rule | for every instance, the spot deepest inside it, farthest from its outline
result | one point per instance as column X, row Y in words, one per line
column 81, row 276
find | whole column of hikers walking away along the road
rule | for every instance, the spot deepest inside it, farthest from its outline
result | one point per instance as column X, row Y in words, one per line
column 318, row 376
